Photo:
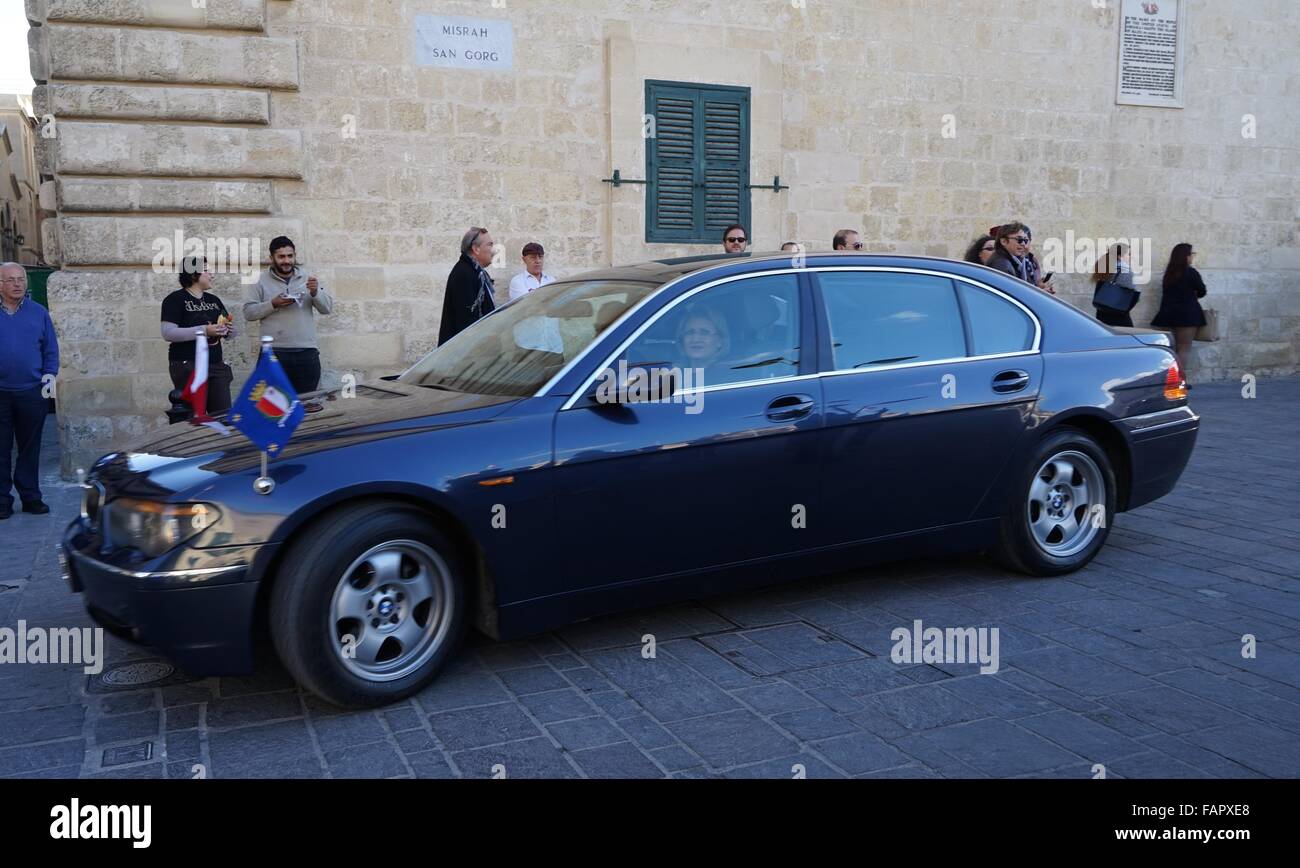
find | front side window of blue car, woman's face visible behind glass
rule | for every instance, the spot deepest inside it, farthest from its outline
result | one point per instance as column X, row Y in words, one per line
column 740, row 332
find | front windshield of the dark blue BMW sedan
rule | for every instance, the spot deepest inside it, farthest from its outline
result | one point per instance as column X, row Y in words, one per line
column 519, row 348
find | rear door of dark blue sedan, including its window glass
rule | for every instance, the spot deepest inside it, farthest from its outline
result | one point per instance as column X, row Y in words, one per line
column 929, row 385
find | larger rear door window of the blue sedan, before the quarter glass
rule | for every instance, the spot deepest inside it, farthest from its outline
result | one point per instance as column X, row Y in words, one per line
column 889, row 319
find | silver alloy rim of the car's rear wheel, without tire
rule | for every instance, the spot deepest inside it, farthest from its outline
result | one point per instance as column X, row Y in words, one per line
column 1067, row 505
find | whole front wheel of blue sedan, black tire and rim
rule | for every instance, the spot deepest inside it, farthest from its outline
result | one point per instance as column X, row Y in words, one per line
column 370, row 605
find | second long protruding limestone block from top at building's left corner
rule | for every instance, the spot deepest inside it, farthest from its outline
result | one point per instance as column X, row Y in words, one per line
column 167, row 150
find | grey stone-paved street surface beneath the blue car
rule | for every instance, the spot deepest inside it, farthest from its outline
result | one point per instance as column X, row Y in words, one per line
column 1134, row 663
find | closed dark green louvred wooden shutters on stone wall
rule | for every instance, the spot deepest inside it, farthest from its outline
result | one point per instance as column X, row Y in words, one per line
column 697, row 164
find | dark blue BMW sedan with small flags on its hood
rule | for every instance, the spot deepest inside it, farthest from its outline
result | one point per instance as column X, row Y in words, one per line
column 634, row 437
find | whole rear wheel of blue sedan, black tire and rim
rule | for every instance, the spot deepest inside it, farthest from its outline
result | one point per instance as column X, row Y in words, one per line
column 1061, row 507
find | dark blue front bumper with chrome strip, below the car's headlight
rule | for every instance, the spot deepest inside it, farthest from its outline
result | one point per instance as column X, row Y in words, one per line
column 193, row 606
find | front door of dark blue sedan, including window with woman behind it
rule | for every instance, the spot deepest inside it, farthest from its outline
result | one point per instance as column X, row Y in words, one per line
column 722, row 472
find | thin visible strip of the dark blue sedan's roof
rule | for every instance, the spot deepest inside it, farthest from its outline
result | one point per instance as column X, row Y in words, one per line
column 666, row 271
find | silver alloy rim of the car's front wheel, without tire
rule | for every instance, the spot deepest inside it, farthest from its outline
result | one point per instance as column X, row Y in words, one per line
column 392, row 610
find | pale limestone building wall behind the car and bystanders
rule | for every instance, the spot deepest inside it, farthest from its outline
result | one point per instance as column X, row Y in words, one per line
column 250, row 119
